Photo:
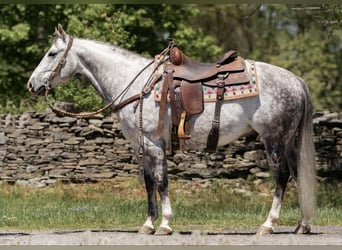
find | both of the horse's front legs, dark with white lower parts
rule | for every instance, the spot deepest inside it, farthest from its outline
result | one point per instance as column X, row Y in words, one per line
column 155, row 176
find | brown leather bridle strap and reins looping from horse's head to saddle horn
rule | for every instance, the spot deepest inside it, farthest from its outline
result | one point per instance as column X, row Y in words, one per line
column 146, row 89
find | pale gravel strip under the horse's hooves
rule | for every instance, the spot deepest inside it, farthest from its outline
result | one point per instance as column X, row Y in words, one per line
column 321, row 235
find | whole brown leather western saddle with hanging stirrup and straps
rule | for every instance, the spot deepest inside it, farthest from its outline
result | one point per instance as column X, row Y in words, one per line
column 183, row 81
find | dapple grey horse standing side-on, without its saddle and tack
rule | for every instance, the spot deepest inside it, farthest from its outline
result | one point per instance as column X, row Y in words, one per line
column 281, row 114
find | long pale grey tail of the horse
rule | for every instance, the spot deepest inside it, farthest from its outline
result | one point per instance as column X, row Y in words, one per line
column 306, row 161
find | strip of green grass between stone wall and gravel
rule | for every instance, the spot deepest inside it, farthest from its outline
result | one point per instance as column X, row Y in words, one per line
column 121, row 204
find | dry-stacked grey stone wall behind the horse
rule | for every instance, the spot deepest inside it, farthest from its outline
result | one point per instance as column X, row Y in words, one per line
column 40, row 148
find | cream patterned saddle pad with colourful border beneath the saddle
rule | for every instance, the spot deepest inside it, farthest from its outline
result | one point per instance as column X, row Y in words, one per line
column 232, row 92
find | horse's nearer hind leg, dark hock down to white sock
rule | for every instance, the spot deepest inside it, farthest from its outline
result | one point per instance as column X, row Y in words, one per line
column 278, row 163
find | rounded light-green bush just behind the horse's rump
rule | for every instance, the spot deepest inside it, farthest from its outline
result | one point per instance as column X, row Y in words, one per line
column 304, row 57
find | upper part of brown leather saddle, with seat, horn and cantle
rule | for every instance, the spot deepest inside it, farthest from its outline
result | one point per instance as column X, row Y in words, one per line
column 193, row 71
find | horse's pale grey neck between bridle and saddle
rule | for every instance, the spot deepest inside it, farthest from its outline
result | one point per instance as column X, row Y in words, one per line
column 109, row 68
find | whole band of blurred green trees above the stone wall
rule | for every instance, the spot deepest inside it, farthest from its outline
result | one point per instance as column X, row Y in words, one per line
column 304, row 39
